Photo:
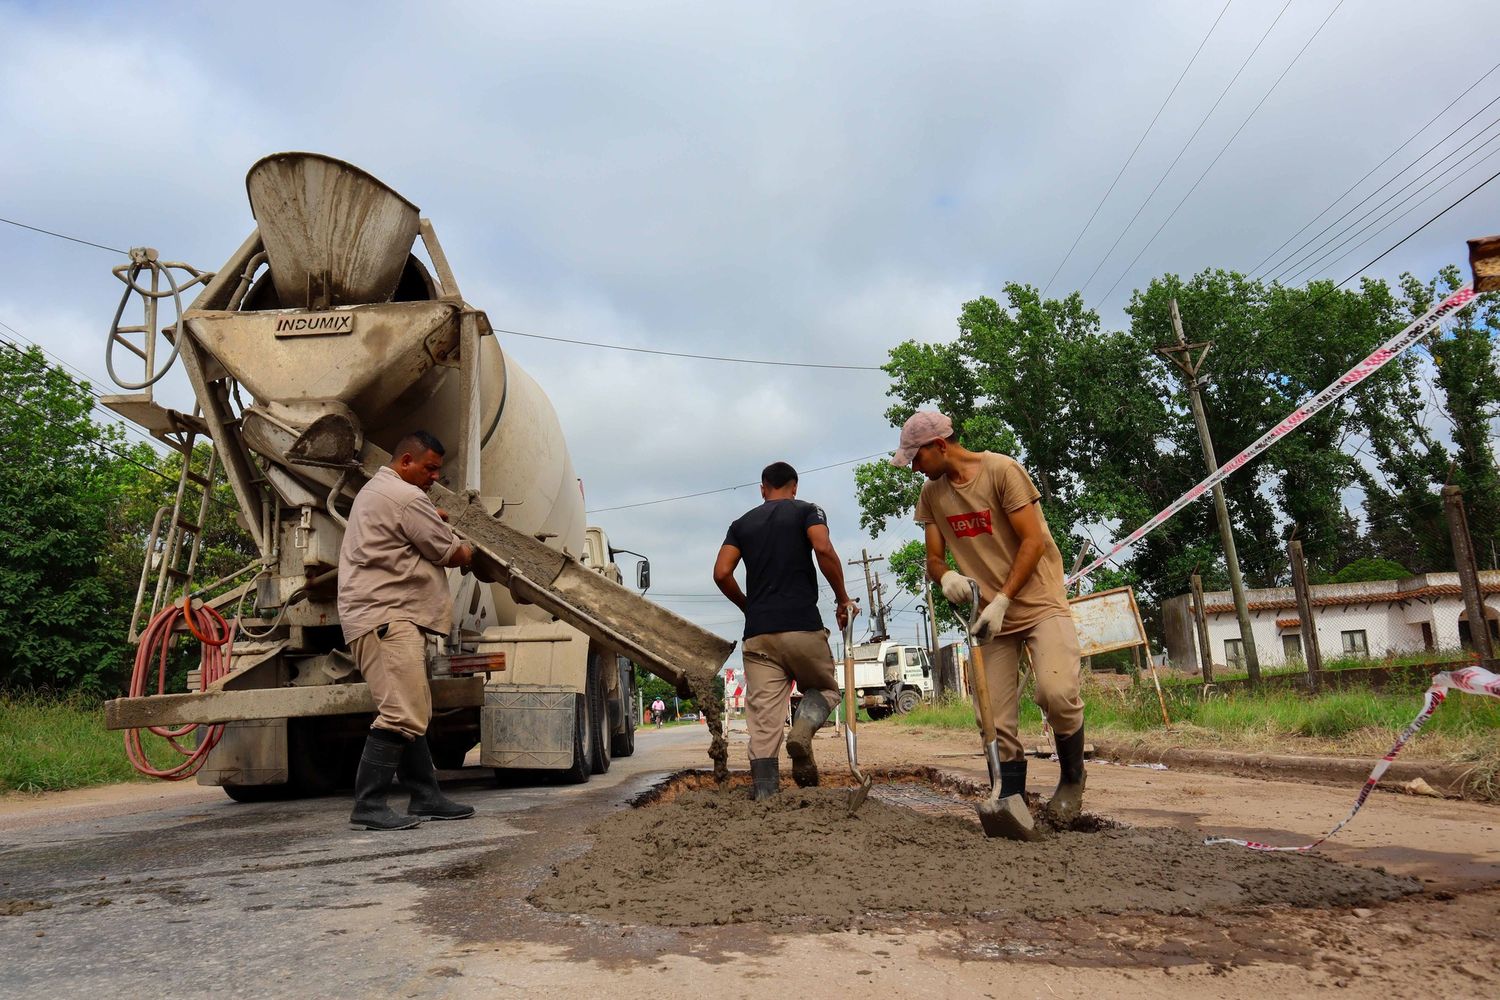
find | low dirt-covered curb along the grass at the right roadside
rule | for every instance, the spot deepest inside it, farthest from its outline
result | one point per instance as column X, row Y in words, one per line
column 1450, row 780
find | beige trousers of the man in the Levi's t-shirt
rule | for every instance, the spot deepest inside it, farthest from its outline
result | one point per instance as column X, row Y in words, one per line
column 1054, row 648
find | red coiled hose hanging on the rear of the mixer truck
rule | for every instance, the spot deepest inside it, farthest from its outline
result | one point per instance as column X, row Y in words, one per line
column 217, row 638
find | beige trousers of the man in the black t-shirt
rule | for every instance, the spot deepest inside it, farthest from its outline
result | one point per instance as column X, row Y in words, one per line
column 772, row 662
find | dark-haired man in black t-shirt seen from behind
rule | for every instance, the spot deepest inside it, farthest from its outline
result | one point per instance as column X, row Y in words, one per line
column 785, row 636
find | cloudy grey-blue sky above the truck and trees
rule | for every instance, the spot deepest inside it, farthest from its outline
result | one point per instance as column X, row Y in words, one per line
column 808, row 184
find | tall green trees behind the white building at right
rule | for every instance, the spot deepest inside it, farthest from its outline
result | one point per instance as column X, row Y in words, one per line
column 1103, row 424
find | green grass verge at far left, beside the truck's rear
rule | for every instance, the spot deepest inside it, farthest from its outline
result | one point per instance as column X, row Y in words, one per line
column 55, row 744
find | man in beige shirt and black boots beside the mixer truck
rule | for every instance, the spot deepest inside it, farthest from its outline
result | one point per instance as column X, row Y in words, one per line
column 394, row 593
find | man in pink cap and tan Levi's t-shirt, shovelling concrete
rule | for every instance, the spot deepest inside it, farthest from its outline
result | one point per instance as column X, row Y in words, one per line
column 985, row 510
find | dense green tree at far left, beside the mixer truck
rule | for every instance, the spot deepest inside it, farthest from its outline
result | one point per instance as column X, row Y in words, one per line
column 61, row 627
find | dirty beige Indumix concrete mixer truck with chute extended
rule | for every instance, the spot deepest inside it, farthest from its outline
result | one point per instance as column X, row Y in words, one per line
column 337, row 328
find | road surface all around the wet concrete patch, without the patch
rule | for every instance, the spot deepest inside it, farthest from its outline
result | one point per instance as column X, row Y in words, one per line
column 175, row 891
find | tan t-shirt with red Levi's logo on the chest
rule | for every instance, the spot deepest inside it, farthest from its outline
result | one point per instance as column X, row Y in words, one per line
column 974, row 524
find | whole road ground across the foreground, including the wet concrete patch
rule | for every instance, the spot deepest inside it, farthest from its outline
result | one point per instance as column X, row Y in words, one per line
column 275, row 891
